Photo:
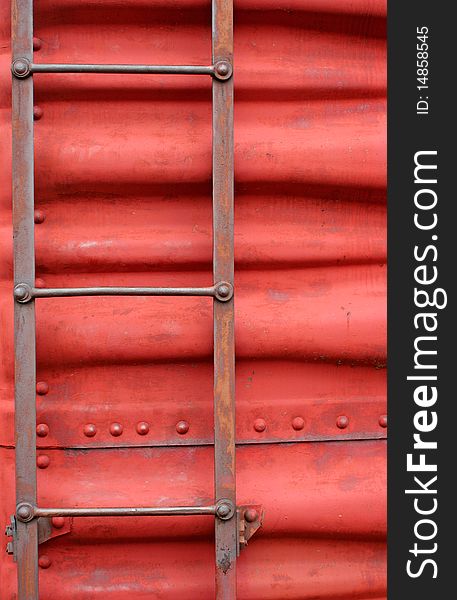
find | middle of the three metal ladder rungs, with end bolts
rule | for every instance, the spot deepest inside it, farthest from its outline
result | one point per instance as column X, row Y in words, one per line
column 23, row 293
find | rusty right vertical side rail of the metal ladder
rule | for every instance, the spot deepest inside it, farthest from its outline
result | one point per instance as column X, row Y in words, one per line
column 223, row 269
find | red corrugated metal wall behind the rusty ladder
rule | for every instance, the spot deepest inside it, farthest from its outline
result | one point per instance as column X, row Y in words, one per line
column 123, row 181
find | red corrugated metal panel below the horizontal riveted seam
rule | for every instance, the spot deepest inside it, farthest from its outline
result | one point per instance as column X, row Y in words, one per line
column 323, row 528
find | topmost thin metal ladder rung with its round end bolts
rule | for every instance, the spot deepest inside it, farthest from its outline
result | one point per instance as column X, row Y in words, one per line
column 23, row 68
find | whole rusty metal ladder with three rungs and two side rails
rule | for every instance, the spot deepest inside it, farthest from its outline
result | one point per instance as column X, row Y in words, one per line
column 27, row 510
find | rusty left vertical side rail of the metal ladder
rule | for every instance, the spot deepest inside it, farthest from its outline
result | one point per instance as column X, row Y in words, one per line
column 24, row 314
